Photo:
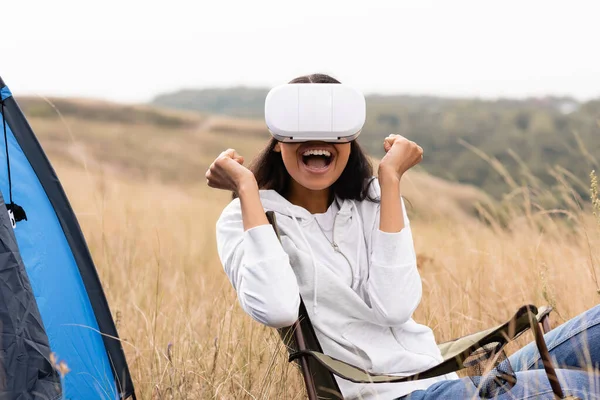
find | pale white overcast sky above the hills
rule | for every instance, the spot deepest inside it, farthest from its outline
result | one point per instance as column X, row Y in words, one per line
column 131, row 50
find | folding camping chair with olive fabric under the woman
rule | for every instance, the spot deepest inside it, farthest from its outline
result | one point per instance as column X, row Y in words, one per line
column 479, row 352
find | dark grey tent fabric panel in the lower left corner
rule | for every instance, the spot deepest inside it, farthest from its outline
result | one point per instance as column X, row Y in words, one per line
column 26, row 371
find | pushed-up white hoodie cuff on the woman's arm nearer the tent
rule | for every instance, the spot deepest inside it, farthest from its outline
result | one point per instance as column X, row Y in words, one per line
column 261, row 243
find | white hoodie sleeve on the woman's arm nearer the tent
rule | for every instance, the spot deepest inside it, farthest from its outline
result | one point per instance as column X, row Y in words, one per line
column 258, row 268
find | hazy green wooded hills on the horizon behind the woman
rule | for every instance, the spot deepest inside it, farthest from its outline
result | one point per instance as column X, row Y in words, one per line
column 463, row 139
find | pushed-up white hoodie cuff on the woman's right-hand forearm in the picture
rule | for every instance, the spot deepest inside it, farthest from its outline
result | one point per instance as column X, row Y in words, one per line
column 393, row 249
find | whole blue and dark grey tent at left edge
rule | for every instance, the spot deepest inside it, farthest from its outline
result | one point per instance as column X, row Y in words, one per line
column 52, row 306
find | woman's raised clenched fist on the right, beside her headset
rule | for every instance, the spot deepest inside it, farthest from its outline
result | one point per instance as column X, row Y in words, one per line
column 401, row 155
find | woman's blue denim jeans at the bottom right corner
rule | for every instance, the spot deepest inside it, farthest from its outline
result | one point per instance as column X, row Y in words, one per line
column 574, row 346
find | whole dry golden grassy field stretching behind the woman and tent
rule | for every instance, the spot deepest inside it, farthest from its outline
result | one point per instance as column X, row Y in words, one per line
column 138, row 189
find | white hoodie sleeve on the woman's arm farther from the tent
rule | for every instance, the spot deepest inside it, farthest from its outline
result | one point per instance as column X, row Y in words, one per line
column 394, row 283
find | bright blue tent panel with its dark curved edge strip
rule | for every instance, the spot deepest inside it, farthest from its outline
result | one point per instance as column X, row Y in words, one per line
column 67, row 289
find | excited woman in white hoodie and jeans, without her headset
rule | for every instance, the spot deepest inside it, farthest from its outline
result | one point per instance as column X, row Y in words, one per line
column 347, row 248
